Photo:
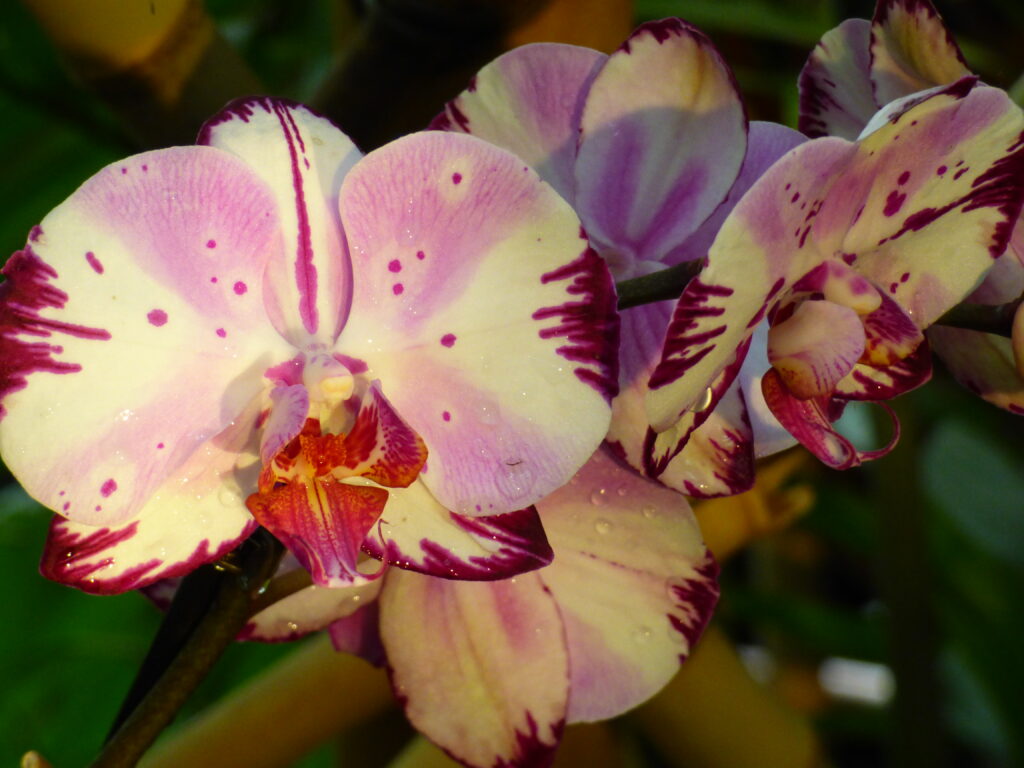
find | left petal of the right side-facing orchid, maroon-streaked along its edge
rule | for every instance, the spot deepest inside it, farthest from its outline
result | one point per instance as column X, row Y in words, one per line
column 762, row 248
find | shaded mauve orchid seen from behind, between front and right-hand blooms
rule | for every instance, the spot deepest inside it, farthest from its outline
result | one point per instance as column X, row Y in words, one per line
column 651, row 147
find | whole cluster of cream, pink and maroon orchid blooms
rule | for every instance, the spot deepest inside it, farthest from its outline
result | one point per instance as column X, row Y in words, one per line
column 409, row 366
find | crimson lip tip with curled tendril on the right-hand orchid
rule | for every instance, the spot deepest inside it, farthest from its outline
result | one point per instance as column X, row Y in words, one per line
column 809, row 422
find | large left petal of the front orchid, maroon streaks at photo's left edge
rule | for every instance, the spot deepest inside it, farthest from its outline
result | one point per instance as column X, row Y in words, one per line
column 122, row 340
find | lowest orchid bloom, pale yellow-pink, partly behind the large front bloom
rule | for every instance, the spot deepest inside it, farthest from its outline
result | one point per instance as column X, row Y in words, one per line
column 492, row 671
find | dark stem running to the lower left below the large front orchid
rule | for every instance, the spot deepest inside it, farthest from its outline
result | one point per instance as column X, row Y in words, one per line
column 210, row 609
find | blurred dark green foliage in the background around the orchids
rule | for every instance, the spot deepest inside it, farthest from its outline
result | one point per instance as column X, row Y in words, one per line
column 860, row 578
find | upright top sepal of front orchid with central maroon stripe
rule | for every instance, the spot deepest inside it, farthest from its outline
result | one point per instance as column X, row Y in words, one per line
column 303, row 158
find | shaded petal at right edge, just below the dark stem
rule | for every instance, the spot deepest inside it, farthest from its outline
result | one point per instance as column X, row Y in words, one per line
column 983, row 363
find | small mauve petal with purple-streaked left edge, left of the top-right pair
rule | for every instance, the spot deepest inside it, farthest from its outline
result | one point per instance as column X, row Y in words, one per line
column 836, row 96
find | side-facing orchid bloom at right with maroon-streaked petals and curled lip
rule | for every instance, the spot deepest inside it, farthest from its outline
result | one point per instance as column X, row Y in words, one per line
column 850, row 249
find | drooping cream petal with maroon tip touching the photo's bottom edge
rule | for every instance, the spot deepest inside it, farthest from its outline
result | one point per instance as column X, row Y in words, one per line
column 482, row 668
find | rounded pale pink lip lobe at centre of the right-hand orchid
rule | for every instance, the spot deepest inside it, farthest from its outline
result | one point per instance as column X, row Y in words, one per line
column 816, row 348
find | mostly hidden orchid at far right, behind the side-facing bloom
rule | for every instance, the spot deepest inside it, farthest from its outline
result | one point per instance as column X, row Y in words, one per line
column 858, row 69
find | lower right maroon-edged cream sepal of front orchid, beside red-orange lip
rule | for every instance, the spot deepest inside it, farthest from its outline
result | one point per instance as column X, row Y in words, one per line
column 417, row 533
